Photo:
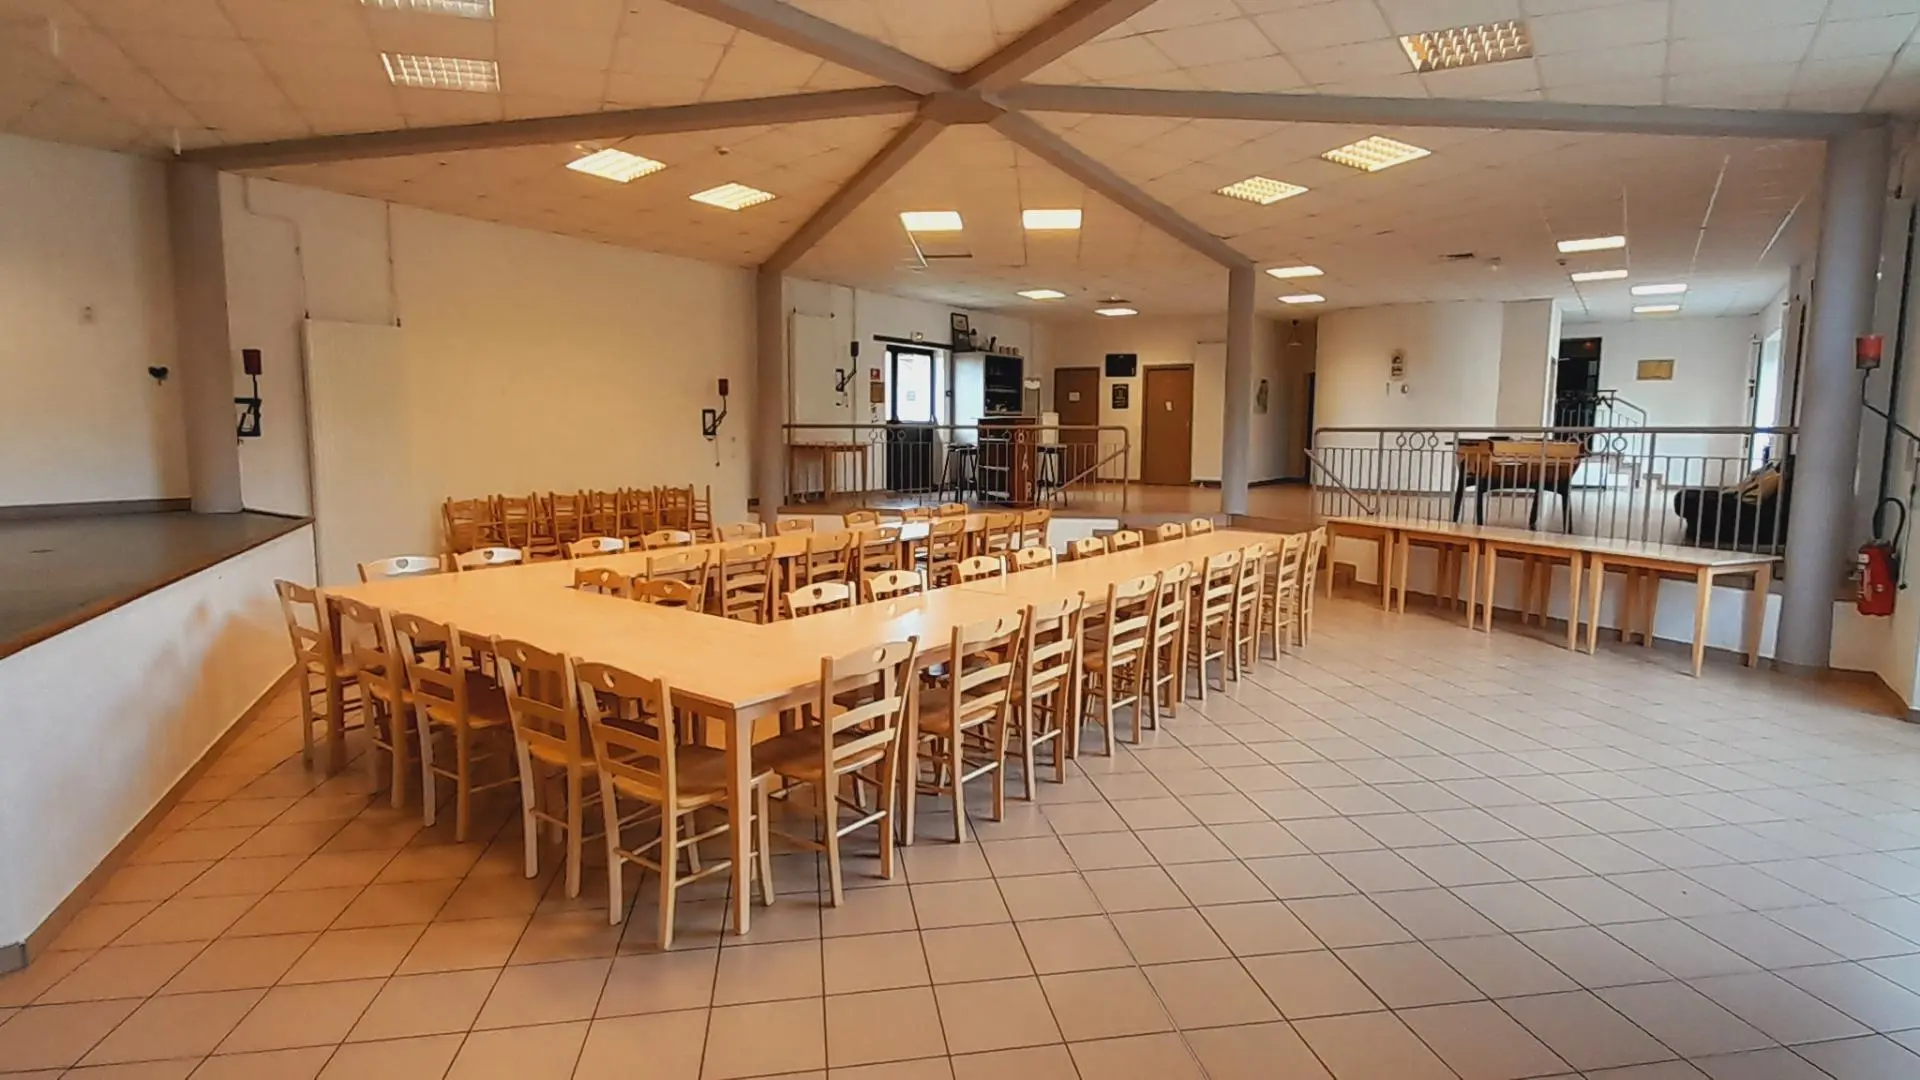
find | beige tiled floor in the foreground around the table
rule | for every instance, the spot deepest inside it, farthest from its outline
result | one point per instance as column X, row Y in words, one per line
column 1410, row 852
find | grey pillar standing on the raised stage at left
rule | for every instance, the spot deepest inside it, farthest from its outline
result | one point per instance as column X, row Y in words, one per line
column 203, row 347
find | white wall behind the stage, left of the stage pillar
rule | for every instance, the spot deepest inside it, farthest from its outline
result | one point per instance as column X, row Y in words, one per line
column 85, row 310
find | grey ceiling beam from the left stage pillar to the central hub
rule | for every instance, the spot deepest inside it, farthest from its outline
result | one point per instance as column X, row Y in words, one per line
column 544, row 132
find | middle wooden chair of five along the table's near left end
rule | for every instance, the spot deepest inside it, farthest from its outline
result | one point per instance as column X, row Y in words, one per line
column 456, row 700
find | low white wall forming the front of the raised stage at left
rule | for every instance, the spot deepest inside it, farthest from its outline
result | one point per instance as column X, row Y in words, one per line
column 120, row 708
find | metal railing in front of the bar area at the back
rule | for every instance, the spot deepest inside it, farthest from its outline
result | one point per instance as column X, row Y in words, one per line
column 986, row 464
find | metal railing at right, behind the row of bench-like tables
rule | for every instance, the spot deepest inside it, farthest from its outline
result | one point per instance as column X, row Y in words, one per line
column 1708, row 487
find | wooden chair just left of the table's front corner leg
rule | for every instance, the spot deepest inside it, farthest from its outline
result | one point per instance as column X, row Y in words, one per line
column 644, row 760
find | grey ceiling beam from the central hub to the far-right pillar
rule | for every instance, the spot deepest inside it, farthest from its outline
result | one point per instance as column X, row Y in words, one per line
column 1433, row 112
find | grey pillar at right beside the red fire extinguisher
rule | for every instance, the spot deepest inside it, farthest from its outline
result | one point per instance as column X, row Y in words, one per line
column 1821, row 518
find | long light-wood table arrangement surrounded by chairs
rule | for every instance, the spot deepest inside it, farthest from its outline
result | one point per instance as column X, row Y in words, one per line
column 738, row 674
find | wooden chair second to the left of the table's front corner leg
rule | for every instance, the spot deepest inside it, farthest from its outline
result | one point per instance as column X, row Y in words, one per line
column 552, row 750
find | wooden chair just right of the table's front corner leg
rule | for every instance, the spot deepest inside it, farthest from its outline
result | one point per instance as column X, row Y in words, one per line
column 853, row 743
